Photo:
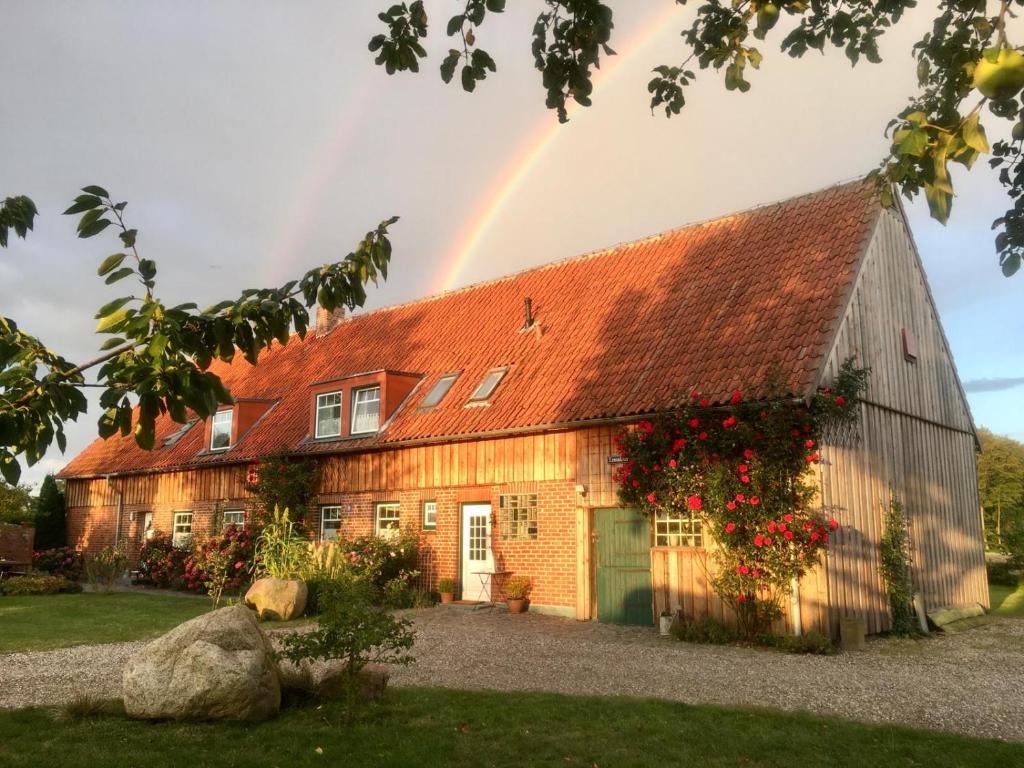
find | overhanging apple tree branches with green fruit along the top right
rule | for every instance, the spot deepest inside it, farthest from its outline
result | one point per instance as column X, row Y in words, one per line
column 965, row 64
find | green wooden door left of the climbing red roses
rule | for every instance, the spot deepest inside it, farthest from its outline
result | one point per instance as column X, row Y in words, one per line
column 624, row 587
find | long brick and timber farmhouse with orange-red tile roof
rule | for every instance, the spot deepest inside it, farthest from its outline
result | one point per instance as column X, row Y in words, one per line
column 485, row 418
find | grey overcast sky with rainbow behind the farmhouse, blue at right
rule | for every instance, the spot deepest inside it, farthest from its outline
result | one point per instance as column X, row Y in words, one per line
column 257, row 140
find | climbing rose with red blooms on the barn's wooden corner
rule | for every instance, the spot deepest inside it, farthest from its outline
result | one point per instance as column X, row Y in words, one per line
column 743, row 468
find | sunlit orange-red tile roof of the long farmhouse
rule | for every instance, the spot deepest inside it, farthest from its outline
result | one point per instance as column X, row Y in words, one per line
column 626, row 331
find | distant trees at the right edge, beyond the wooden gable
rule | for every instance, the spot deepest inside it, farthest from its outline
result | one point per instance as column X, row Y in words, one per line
column 1001, row 486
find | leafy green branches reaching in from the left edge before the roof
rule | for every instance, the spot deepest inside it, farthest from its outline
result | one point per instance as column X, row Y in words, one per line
column 156, row 358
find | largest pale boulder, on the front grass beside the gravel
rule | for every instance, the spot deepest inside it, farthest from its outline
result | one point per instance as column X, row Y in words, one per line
column 217, row 667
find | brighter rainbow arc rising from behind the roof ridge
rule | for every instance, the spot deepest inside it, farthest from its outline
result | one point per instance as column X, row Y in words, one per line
column 531, row 153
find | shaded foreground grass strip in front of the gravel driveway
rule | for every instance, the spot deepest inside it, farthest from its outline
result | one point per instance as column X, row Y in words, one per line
column 422, row 727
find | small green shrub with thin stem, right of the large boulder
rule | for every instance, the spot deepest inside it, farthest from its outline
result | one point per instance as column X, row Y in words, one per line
column 352, row 629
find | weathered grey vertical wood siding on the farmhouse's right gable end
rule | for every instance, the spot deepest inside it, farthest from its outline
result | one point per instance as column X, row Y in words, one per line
column 916, row 438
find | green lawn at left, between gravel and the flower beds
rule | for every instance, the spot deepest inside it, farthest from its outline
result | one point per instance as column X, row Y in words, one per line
column 46, row 622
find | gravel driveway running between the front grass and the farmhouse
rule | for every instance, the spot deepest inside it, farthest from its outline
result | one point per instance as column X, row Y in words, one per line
column 972, row 684
